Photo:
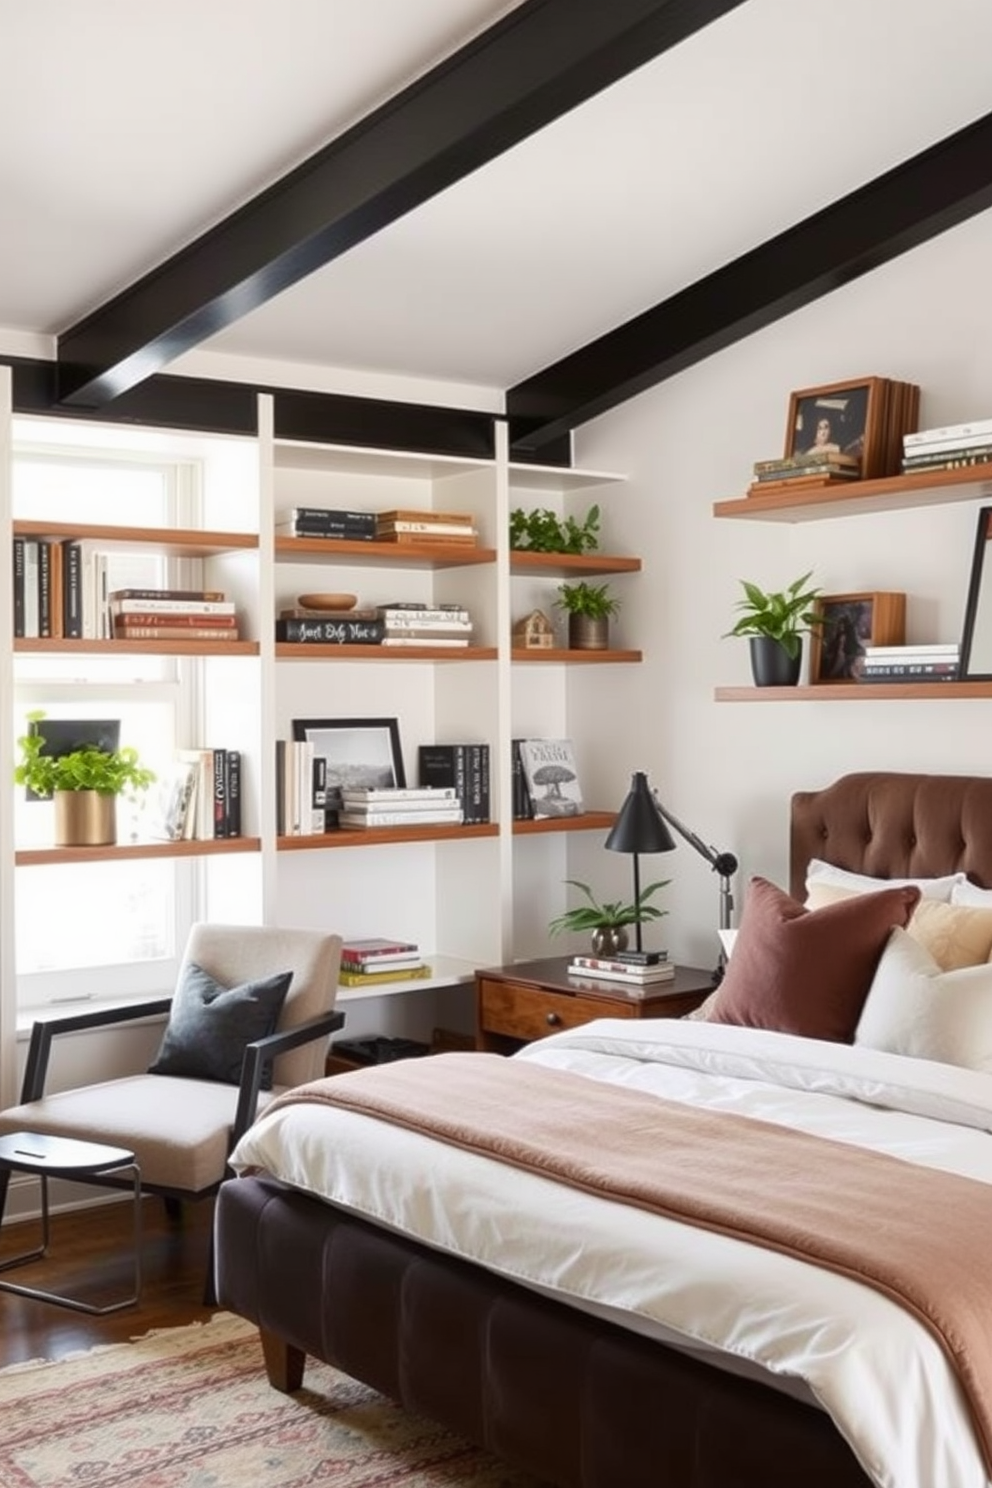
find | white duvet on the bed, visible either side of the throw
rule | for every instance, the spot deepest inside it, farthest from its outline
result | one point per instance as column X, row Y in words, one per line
column 881, row 1374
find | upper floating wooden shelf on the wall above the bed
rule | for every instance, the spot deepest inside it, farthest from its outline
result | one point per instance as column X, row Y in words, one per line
column 887, row 495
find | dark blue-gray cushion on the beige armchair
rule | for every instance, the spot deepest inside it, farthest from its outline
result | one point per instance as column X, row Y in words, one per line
column 210, row 1026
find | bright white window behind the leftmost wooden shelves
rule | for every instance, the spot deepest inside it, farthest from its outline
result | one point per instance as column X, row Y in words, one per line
column 108, row 929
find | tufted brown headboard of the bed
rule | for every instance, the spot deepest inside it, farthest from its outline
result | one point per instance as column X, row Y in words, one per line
column 895, row 827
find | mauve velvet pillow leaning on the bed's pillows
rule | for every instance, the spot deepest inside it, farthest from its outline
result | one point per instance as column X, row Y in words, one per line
column 807, row 971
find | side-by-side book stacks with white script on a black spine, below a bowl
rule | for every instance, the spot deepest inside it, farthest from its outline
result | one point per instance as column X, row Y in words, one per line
column 398, row 626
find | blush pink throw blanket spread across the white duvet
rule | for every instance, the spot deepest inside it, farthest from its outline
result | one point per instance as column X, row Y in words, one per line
column 915, row 1234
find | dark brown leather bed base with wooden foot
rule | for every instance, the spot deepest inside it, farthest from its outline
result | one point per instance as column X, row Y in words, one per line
column 578, row 1402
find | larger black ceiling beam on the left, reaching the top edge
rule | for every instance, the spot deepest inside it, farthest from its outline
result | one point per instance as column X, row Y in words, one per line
column 538, row 63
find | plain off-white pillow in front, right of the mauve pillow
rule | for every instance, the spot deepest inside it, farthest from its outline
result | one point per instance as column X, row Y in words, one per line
column 917, row 1010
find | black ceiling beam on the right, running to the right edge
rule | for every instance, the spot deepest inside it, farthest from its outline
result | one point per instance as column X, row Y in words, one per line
column 915, row 202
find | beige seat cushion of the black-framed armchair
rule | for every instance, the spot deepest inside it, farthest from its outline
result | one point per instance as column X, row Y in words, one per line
column 187, row 1152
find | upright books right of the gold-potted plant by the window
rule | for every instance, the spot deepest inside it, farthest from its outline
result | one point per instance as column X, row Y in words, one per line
column 199, row 798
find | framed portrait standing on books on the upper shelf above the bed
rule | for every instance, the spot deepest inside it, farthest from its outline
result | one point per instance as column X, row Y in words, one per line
column 844, row 419
